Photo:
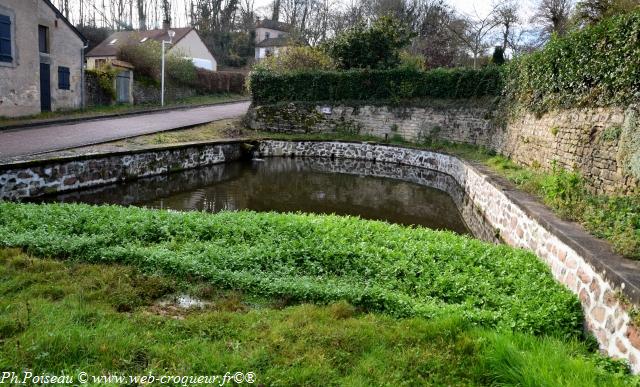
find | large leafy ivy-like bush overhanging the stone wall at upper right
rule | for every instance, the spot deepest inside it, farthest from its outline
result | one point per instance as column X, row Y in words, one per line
column 596, row 66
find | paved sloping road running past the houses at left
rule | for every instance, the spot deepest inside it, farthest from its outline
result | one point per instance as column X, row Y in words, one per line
column 42, row 139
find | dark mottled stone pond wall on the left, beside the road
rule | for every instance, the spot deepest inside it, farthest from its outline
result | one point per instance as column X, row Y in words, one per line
column 33, row 179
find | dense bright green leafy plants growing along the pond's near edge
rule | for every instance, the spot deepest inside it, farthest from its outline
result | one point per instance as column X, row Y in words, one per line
column 373, row 265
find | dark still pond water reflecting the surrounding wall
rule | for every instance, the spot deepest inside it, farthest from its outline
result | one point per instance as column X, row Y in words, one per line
column 390, row 192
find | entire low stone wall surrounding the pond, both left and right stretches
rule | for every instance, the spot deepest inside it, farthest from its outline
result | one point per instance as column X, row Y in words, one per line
column 604, row 282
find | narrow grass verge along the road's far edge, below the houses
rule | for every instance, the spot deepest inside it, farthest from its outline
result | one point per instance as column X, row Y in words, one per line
column 118, row 108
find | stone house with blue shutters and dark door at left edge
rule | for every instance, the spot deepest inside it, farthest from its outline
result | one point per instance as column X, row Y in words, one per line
column 41, row 57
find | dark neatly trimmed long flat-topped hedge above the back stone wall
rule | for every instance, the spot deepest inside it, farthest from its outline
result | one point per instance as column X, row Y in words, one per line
column 368, row 85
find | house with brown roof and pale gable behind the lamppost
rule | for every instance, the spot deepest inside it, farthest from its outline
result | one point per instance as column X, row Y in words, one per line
column 186, row 43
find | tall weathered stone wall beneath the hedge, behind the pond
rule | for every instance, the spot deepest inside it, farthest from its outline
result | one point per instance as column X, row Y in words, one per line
column 590, row 140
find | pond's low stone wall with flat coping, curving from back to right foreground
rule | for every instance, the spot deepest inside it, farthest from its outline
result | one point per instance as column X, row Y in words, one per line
column 585, row 265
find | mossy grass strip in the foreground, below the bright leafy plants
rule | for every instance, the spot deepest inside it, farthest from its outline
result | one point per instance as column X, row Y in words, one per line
column 65, row 316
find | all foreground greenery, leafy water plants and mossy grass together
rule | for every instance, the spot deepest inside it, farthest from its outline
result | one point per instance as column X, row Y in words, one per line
column 69, row 315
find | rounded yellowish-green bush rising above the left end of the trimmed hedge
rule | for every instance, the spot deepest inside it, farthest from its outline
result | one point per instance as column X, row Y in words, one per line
column 296, row 58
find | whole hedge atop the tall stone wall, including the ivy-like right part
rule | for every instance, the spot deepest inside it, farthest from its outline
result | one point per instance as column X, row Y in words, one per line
column 591, row 67
